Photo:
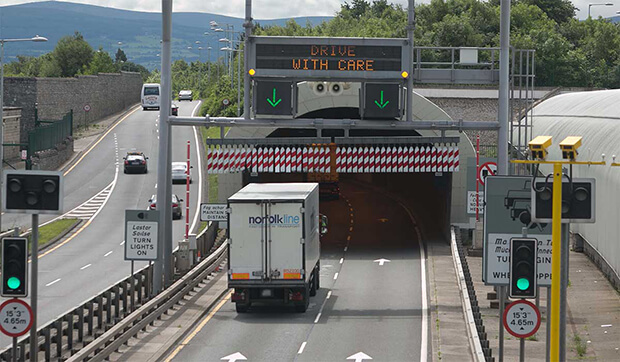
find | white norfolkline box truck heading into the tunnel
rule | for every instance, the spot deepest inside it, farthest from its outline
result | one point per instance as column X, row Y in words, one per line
column 274, row 247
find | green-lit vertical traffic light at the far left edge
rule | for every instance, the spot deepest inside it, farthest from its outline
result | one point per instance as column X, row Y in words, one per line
column 14, row 267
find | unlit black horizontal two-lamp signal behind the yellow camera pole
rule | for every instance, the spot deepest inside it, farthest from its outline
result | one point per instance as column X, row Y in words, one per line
column 577, row 201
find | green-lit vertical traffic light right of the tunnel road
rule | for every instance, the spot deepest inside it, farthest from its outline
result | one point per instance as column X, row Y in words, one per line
column 523, row 268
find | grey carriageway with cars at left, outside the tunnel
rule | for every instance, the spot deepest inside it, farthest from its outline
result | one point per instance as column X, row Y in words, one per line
column 82, row 266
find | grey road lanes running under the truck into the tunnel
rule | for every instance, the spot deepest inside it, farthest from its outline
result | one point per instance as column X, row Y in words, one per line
column 361, row 306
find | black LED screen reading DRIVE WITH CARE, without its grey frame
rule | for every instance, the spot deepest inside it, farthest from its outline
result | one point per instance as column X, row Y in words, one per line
column 321, row 57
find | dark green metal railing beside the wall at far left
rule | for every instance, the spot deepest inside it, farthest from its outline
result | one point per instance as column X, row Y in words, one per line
column 49, row 135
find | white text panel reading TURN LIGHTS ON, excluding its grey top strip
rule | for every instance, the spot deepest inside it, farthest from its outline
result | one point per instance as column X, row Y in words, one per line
column 141, row 240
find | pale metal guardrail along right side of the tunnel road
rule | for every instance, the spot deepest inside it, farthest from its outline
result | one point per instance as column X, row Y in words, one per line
column 472, row 331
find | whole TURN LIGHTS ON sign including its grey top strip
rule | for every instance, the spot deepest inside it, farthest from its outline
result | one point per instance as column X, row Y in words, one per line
column 141, row 234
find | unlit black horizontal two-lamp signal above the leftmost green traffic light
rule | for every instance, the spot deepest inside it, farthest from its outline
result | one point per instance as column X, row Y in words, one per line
column 33, row 192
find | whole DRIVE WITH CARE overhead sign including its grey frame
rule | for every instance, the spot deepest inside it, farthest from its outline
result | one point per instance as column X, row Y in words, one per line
column 328, row 58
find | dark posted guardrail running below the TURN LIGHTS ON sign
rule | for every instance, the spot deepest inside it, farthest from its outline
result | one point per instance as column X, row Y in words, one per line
column 84, row 324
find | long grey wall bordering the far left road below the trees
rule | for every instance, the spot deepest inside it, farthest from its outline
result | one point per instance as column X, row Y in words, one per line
column 106, row 94
